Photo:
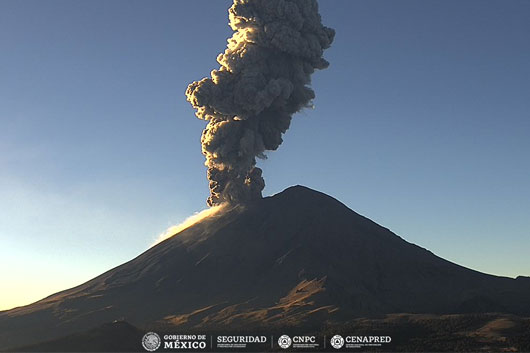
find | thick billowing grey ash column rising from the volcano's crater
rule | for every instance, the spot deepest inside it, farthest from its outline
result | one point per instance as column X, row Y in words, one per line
column 263, row 80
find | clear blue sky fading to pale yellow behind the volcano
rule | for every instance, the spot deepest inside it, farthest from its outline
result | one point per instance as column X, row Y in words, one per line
column 421, row 123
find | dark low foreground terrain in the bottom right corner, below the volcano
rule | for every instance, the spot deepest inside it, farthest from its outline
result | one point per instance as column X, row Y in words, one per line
column 443, row 333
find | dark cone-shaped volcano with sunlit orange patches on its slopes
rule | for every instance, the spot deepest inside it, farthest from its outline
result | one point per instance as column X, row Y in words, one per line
column 297, row 258
